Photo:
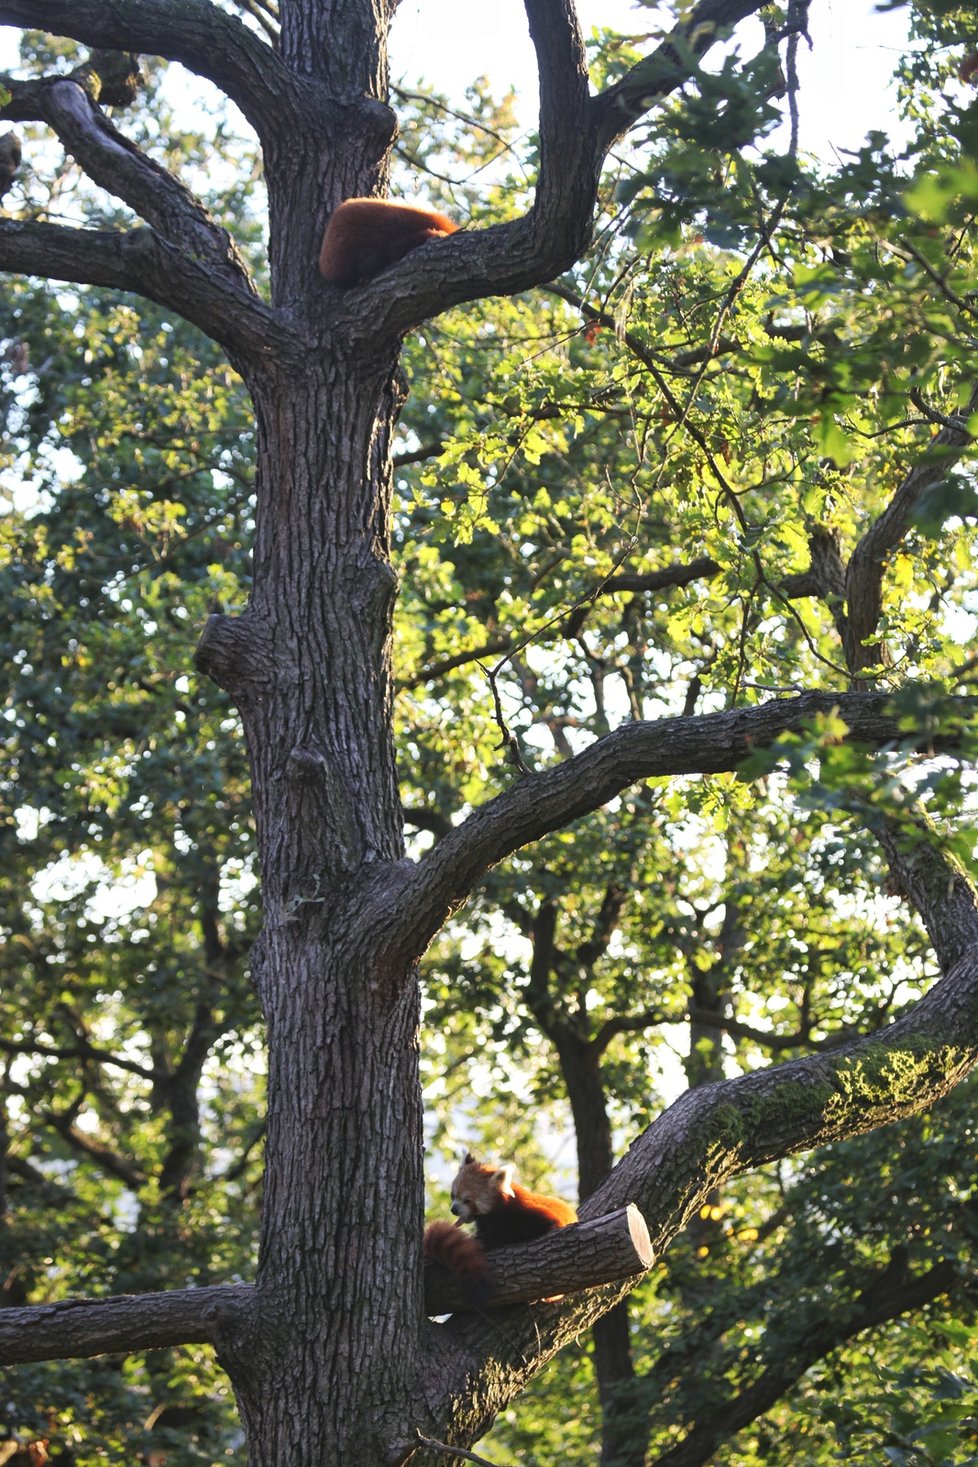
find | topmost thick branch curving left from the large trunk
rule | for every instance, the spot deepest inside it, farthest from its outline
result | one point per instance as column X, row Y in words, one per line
column 196, row 33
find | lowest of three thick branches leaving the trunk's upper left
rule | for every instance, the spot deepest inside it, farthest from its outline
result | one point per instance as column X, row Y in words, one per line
column 146, row 265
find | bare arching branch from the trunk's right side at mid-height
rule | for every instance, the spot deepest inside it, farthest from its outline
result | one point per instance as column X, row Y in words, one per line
column 706, row 745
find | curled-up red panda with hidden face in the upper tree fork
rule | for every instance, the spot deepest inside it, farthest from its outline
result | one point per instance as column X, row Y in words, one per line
column 367, row 235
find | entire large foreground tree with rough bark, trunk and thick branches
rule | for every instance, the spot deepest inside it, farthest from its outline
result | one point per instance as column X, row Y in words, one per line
column 331, row 1355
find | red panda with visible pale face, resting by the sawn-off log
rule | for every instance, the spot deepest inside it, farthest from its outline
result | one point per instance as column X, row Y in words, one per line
column 502, row 1211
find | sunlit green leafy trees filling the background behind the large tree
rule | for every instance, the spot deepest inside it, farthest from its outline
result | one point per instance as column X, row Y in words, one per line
column 709, row 470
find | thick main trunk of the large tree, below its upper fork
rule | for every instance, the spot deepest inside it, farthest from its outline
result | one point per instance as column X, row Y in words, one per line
column 329, row 1362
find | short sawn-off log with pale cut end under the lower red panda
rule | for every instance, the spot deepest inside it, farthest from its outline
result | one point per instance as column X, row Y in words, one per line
column 567, row 1262
